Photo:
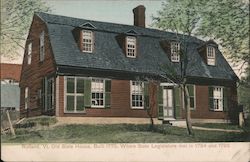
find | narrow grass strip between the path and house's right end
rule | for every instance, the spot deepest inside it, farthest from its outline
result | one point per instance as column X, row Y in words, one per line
column 218, row 126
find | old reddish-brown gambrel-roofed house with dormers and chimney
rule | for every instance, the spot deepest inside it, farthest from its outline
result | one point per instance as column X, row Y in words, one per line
column 82, row 68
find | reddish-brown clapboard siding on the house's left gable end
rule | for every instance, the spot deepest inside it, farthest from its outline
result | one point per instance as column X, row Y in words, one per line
column 33, row 74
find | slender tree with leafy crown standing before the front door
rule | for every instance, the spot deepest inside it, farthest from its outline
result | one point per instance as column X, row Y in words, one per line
column 181, row 17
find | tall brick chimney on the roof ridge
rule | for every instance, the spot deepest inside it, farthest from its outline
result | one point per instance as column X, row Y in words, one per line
column 139, row 16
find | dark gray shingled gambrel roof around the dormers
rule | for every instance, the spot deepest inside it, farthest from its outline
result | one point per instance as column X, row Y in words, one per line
column 108, row 55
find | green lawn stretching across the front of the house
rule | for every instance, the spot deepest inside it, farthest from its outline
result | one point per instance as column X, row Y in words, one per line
column 117, row 133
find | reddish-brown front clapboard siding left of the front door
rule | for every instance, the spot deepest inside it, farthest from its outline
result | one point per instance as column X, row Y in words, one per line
column 120, row 102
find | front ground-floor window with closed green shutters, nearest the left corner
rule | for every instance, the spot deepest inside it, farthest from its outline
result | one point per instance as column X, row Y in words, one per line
column 74, row 94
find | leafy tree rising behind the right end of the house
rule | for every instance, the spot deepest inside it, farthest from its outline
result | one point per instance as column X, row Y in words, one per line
column 227, row 21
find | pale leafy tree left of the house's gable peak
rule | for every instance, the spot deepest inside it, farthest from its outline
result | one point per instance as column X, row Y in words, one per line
column 16, row 18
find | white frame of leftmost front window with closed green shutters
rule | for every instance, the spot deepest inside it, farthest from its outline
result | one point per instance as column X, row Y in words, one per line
column 71, row 94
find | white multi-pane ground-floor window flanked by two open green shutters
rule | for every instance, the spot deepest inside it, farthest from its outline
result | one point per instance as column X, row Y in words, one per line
column 97, row 91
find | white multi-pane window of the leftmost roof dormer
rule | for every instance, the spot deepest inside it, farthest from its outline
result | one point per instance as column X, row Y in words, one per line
column 87, row 41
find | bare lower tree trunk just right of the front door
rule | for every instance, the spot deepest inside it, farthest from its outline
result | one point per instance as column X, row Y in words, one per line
column 187, row 109
